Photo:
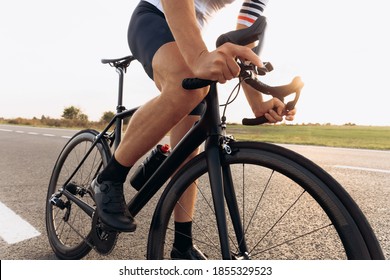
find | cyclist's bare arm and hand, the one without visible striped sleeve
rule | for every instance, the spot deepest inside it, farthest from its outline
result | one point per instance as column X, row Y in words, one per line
column 218, row 65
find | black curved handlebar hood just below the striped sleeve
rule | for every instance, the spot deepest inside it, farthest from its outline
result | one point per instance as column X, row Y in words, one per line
column 245, row 36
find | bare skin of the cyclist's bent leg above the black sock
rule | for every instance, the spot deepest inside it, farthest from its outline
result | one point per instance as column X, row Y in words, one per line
column 158, row 116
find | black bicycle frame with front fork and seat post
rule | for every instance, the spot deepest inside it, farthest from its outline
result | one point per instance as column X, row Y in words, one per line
column 209, row 130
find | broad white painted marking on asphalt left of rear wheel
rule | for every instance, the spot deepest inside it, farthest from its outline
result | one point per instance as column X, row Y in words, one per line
column 13, row 228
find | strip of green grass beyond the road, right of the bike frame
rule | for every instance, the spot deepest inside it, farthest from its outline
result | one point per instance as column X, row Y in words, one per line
column 364, row 137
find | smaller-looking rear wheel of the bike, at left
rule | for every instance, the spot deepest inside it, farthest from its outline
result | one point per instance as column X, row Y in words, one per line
column 69, row 229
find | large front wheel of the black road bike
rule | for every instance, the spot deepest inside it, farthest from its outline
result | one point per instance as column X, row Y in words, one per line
column 321, row 222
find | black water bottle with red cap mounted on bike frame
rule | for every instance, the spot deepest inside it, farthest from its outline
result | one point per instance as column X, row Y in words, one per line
column 149, row 166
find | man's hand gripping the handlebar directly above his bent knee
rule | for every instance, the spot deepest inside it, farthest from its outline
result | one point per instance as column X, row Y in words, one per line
column 220, row 65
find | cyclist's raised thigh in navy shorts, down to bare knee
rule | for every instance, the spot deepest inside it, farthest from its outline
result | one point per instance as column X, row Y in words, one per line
column 152, row 43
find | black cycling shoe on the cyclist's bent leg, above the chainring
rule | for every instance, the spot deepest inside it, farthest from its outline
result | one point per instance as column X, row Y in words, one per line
column 111, row 206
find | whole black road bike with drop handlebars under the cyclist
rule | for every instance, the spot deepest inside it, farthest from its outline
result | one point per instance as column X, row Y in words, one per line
column 255, row 200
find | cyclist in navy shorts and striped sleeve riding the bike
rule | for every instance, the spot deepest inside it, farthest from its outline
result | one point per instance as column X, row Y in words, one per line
column 165, row 36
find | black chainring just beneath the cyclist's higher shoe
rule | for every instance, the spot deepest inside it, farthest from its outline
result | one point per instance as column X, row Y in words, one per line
column 103, row 237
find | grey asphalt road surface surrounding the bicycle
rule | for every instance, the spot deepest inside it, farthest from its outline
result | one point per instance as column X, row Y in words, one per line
column 27, row 156
